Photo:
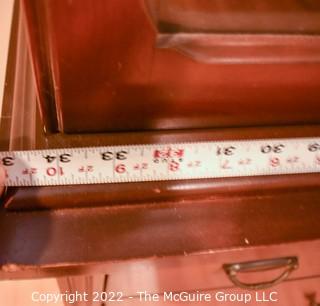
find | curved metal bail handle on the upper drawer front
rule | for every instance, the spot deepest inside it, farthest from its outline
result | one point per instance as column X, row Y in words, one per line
column 289, row 263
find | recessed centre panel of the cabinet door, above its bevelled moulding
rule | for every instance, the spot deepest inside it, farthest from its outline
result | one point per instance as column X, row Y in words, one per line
column 214, row 16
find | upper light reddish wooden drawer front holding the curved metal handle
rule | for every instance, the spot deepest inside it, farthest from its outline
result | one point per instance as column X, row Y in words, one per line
column 205, row 272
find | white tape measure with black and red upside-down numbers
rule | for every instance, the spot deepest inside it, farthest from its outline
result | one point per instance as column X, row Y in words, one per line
column 160, row 162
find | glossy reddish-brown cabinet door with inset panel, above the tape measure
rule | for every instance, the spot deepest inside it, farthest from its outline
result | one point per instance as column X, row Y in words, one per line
column 131, row 65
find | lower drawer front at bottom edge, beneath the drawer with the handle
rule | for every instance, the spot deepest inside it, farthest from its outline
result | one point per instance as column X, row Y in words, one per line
column 304, row 292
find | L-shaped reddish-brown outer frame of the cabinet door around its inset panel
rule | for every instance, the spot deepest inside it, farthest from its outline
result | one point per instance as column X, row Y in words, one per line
column 117, row 71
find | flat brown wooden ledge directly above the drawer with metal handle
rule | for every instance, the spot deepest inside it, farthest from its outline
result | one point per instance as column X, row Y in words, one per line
column 37, row 244
